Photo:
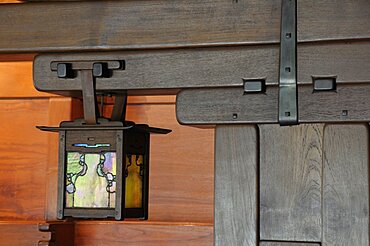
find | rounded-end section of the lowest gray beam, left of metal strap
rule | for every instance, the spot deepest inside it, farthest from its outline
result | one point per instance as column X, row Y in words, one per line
column 226, row 105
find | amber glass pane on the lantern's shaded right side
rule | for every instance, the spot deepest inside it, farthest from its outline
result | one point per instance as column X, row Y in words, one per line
column 134, row 181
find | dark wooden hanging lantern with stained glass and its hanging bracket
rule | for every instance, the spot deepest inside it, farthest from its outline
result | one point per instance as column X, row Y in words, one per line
column 103, row 166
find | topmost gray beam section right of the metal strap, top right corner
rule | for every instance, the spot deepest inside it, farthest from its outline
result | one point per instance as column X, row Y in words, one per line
column 333, row 20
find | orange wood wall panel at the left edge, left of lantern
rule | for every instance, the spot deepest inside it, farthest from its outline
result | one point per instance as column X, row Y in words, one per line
column 23, row 158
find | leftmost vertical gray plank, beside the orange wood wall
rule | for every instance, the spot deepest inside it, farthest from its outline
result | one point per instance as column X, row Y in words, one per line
column 236, row 186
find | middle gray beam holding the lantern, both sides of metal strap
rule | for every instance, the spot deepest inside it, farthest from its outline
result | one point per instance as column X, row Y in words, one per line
column 209, row 67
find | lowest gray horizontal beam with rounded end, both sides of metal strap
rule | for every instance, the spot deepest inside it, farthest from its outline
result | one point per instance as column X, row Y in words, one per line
column 349, row 103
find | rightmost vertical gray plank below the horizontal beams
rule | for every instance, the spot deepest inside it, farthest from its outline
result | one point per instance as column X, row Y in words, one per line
column 346, row 185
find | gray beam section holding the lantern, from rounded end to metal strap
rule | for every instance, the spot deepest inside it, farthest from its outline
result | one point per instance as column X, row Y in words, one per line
column 168, row 69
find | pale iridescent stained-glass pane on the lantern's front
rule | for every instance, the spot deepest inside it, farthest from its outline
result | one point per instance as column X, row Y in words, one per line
column 90, row 180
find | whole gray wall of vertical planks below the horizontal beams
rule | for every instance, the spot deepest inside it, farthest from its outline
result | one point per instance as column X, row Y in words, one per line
column 302, row 185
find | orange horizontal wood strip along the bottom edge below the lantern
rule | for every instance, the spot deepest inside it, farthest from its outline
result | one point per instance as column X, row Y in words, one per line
column 143, row 233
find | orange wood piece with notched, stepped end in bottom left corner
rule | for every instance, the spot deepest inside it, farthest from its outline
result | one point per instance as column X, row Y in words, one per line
column 22, row 233
